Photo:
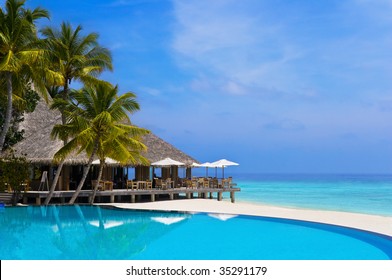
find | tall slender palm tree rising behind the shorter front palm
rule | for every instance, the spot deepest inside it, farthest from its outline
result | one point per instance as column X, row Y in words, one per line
column 74, row 57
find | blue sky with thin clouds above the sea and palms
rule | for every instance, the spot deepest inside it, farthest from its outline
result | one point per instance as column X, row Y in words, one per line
column 277, row 86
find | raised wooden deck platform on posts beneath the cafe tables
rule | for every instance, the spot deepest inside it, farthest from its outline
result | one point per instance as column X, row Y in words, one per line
column 131, row 196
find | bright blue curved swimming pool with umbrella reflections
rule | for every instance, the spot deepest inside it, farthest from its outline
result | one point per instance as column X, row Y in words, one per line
column 92, row 232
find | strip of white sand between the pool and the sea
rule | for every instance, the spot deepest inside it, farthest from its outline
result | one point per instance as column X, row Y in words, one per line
column 372, row 223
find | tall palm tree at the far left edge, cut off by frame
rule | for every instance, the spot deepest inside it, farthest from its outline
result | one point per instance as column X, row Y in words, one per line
column 20, row 52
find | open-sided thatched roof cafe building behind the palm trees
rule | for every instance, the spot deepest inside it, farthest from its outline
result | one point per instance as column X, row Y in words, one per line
column 39, row 149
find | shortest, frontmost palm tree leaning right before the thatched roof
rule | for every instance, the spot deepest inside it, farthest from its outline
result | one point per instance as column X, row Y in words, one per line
column 97, row 122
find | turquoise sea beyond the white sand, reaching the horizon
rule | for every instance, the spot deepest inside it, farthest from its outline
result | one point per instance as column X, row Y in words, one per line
column 369, row 194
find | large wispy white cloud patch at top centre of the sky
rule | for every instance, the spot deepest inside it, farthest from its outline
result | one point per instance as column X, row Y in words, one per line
column 236, row 43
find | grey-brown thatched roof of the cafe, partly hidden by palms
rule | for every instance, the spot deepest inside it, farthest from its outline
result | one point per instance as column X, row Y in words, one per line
column 38, row 147
